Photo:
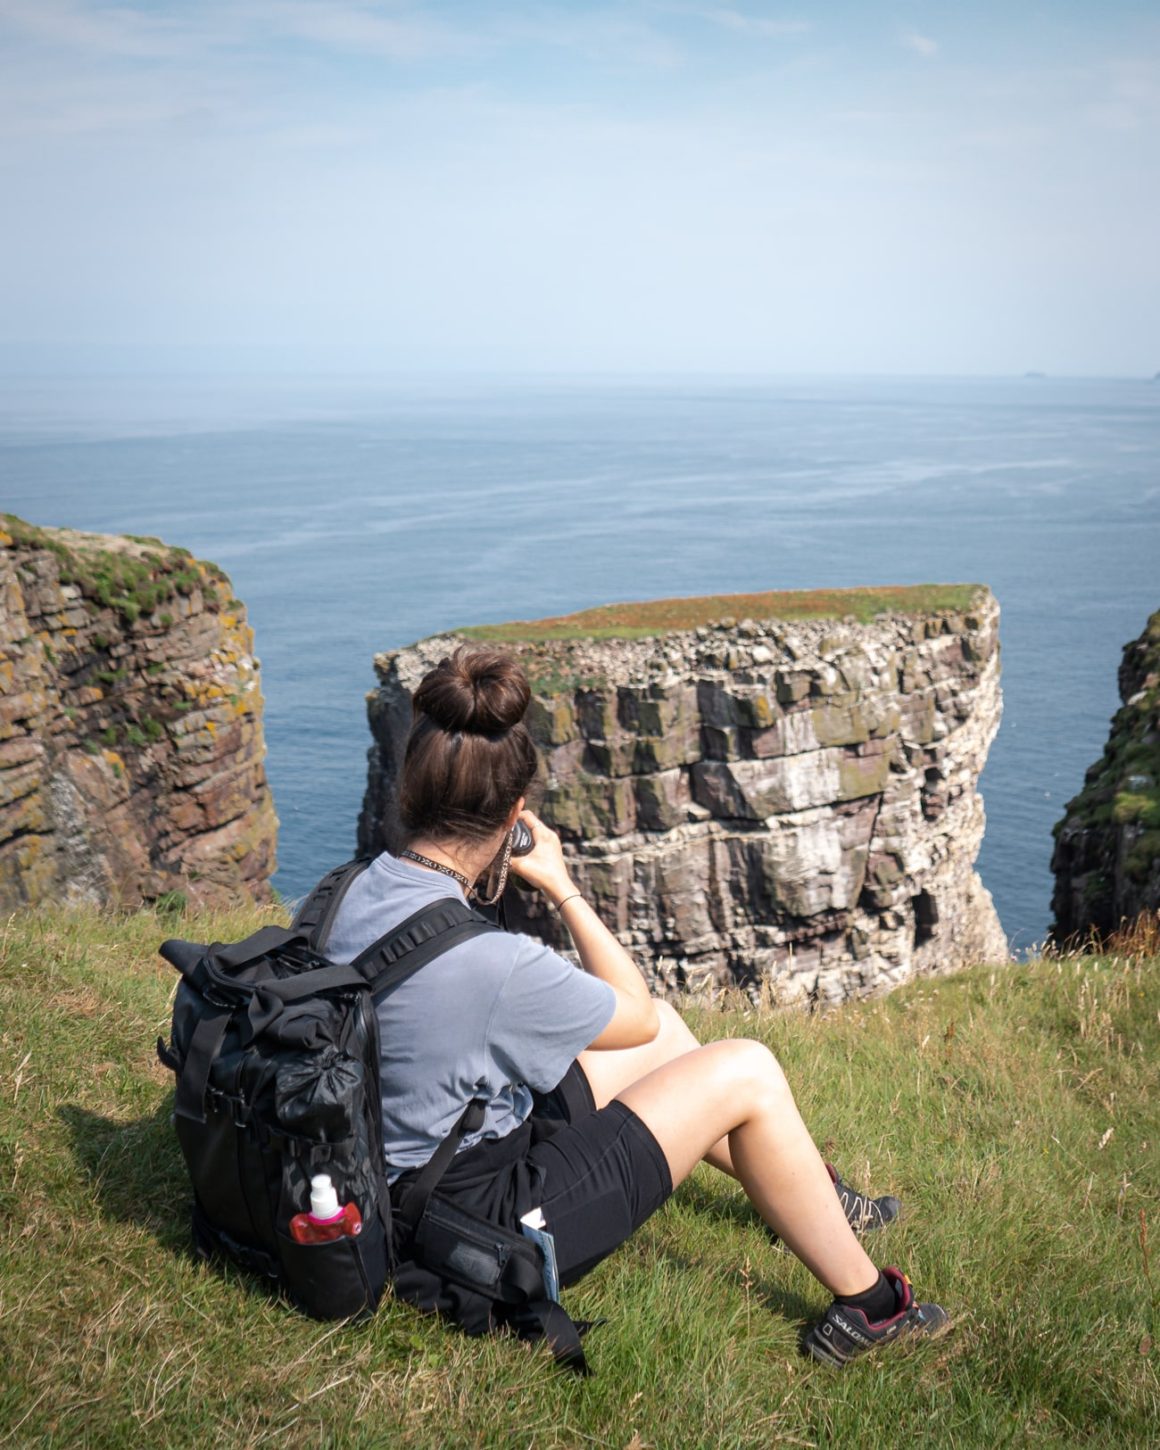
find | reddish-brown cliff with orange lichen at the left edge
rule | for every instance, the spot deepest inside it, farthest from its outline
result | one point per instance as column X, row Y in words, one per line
column 131, row 740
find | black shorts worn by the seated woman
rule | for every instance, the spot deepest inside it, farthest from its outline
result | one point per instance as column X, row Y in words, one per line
column 598, row 1175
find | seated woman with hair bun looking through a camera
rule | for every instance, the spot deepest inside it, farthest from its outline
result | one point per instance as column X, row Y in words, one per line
column 502, row 1017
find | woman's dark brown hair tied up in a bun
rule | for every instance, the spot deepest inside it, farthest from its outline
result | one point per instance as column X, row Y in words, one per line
column 469, row 755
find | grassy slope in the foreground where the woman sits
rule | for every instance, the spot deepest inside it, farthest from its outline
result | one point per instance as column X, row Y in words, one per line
column 1016, row 1111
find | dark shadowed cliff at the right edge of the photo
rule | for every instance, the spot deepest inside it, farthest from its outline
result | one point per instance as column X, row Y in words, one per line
column 1107, row 858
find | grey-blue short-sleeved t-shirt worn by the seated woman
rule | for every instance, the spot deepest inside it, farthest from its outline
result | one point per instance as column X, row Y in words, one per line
column 491, row 1019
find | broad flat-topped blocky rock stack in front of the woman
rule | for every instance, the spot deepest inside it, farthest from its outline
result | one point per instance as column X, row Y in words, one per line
column 776, row 791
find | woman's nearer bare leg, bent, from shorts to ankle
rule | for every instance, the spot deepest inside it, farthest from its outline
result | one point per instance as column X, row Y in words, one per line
column 737, row 1091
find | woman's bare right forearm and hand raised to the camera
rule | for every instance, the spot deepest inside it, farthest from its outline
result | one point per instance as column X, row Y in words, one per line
column 636, row 1020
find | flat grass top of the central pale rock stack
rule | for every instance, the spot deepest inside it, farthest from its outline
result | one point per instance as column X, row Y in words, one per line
column 637, row 621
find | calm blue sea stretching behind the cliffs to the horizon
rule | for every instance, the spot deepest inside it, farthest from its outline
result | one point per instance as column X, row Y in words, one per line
column 356, row 515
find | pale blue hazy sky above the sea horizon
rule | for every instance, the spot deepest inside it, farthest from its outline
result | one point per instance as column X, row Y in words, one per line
column 650, row 186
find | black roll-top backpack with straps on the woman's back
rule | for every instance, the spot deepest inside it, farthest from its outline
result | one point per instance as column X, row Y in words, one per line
column 276, row 1055
